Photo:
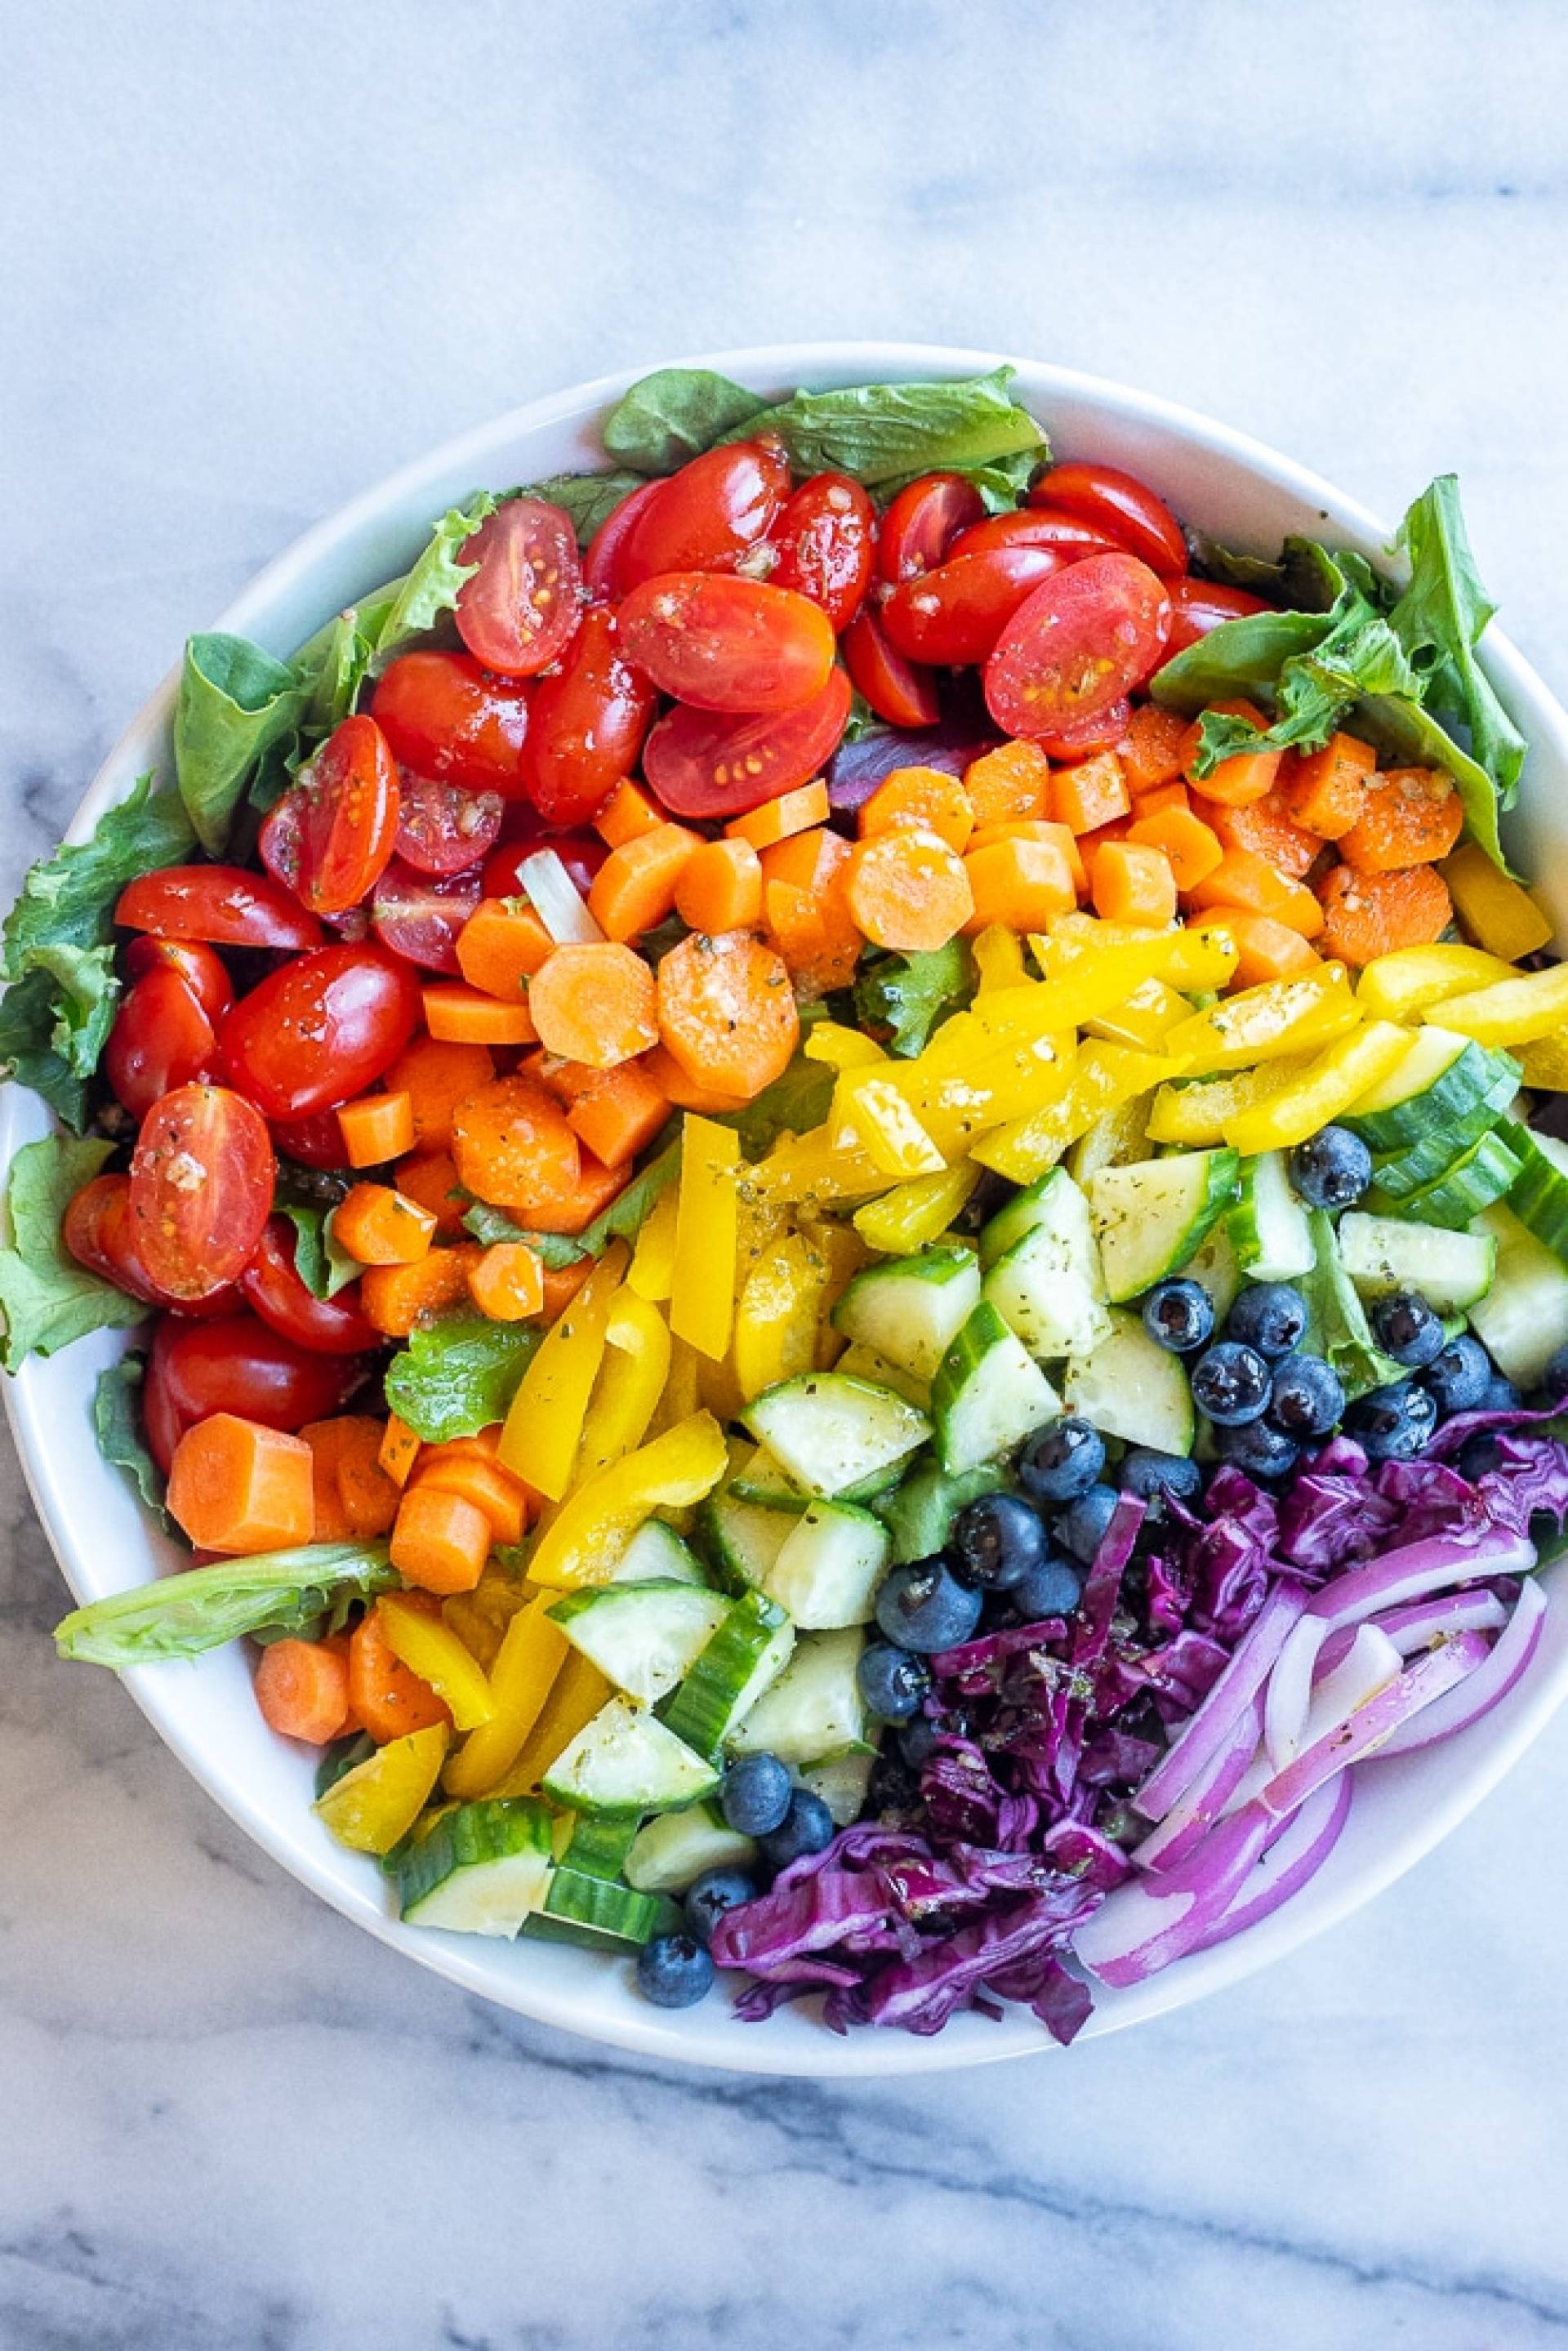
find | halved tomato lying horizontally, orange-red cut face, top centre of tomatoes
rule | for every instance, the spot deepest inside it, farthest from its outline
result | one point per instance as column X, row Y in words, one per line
column 728, row 643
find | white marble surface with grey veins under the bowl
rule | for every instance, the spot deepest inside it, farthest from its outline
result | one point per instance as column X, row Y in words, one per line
column 257, row 257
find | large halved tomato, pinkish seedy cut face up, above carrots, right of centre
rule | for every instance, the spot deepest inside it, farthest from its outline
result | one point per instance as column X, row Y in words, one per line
column 1078, row 645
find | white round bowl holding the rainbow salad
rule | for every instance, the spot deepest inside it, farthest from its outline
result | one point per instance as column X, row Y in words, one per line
column 206, row 1710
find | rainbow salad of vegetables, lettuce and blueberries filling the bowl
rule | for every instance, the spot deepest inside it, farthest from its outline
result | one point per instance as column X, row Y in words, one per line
column 831, row 1172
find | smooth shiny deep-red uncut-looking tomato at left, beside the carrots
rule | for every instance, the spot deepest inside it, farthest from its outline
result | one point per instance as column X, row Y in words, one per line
column 321, row 1031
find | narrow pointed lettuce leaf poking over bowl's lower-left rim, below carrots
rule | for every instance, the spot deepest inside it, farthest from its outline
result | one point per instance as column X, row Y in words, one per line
column 267, row 1595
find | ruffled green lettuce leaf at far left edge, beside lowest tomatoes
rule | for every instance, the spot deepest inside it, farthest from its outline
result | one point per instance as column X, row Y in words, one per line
column 48, row 1299
